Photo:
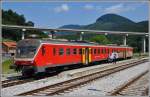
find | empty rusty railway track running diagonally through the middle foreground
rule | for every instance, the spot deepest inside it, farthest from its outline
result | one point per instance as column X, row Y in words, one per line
column 59, row 88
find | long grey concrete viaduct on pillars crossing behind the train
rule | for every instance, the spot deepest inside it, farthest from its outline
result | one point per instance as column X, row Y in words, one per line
column 82, row 31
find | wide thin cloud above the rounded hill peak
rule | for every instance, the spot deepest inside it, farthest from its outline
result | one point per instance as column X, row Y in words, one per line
column 119, row 8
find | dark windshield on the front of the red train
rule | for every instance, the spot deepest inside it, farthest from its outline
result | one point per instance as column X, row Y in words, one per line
column 25, row 51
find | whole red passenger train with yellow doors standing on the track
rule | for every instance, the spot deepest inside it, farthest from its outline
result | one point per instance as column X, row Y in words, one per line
column 36, row 55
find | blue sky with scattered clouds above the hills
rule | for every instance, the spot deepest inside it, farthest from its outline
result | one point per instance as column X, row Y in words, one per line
column 56, row 14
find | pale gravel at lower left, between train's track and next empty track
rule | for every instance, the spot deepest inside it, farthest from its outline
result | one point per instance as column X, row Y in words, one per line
column 14, row 90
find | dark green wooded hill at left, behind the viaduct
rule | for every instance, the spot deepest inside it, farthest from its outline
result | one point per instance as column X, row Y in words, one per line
column 12, row 18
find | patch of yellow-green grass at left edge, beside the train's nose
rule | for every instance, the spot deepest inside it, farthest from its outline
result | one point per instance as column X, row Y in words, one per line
column 5, row 66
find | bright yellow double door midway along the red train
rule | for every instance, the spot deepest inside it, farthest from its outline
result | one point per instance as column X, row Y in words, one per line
column 86, row 55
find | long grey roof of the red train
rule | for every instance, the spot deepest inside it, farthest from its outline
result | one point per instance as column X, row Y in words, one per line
column 81, row 43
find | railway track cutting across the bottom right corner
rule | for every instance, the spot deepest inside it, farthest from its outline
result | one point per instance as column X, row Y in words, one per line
column 138, row 86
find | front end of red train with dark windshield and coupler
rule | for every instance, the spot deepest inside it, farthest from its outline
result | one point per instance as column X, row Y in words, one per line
column 24, row 58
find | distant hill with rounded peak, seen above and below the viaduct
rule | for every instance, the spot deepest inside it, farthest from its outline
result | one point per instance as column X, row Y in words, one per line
column 114, row 22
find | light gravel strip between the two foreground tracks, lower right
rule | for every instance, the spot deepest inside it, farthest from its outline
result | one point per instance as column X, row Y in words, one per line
column 104, row 85
